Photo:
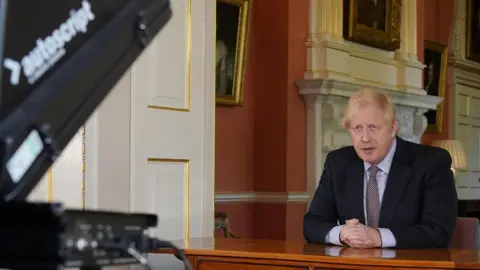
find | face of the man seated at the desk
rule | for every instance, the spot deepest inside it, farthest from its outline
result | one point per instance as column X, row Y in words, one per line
column 371, row 134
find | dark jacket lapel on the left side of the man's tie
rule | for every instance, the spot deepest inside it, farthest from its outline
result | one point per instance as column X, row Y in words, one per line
column 354, row 186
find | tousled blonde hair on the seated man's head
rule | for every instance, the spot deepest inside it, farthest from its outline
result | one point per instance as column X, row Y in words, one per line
column 366, row 97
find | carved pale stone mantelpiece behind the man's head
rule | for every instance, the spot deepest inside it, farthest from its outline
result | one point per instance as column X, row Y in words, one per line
column 326, row 101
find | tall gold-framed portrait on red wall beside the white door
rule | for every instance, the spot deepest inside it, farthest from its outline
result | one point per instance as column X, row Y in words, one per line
column 232, row 20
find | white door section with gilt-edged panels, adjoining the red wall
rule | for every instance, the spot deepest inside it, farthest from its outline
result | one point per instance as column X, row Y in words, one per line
column 173, row 131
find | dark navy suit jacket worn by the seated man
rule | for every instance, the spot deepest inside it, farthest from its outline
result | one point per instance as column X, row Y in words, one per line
column 419, row 203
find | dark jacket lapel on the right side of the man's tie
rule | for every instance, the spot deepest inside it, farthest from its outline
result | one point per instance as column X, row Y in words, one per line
column 398, row 179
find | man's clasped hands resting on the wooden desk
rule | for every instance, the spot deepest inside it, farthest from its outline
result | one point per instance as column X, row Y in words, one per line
column 356, row 235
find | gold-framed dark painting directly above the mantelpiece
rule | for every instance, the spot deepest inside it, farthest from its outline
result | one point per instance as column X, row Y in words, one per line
column 375, row 23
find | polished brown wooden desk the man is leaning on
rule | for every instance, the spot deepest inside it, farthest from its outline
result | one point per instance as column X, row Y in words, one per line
column 239, row 254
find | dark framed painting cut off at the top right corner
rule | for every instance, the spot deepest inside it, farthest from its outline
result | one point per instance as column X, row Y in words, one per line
column 472, row 51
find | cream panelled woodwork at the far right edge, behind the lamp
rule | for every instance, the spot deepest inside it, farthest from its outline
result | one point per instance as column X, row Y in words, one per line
column 465, row 102
